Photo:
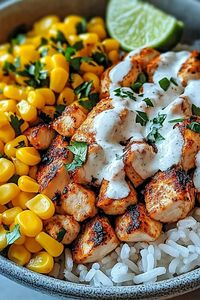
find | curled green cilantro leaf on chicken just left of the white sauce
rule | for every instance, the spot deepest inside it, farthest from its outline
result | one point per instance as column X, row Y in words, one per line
column 79, row 149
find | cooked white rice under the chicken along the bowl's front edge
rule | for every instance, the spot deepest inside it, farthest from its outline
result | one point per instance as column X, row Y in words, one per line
column 177, row 251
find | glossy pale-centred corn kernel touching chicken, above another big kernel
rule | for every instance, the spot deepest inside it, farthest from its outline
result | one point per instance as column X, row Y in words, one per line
column 42, row 206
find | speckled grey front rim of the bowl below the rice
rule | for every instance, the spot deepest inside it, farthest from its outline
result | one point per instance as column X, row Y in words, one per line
column 167, row 288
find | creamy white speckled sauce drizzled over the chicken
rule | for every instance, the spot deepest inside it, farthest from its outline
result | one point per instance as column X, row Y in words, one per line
column 112, row 130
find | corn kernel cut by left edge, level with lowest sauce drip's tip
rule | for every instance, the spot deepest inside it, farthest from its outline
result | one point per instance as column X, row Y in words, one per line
column 8, row 191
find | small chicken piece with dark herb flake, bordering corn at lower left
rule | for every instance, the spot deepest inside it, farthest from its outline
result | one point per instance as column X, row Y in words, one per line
column 62, row 228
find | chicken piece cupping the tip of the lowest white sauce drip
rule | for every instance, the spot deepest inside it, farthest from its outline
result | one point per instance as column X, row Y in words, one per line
column 115, row 206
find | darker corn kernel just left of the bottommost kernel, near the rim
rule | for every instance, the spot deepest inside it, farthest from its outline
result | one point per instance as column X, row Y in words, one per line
column 19, row 254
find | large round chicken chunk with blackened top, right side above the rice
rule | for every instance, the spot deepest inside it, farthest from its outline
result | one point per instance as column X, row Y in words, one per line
column 170, row 195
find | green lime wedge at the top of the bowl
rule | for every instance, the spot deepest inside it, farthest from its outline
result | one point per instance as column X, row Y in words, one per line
column 136, row 23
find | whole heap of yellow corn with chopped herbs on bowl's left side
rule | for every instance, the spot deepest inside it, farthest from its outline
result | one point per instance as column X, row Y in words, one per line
column 40, row 74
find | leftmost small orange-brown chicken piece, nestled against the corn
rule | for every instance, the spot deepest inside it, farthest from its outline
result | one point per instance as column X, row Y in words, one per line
column 40, row 136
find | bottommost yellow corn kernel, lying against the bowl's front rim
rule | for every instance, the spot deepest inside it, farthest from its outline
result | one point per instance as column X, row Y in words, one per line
column 42, row 263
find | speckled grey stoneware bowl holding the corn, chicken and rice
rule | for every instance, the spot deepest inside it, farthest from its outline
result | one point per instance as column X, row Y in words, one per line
column 13, row 13
